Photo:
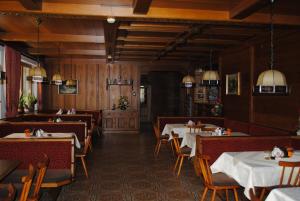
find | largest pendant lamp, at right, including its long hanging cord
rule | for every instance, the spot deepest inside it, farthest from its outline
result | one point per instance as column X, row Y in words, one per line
column 271, row 82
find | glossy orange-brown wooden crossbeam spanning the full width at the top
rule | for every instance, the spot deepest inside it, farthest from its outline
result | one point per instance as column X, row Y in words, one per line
column 100, row 11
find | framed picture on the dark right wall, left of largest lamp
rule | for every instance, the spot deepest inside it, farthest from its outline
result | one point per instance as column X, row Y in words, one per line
column 233, row 82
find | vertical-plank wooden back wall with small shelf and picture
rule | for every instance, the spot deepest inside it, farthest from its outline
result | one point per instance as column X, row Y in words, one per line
column 93, row 92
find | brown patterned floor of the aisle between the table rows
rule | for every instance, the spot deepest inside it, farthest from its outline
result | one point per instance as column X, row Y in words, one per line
column 123, row 168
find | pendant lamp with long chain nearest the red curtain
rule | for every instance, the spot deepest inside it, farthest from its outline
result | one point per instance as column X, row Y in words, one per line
column 38, row 73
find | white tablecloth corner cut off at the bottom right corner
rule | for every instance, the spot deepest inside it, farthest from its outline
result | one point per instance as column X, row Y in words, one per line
column 284, row 194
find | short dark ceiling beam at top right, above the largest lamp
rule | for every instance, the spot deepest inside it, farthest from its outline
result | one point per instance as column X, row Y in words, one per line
column 246, row 8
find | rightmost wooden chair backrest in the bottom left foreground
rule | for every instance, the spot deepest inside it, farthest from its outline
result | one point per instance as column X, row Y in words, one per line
column 41, row 172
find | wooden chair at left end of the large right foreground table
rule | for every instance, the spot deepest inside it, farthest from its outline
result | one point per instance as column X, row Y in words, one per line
column 216, row 182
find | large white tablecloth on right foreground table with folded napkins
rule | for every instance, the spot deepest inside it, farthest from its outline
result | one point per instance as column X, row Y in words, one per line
column 251, row 169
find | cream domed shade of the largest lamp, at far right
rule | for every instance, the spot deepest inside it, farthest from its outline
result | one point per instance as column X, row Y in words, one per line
column 271, row 78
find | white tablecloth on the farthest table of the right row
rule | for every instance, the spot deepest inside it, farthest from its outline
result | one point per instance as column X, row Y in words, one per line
column 180, row 129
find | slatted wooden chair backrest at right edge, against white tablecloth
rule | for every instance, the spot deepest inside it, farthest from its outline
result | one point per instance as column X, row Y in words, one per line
column 292, row 170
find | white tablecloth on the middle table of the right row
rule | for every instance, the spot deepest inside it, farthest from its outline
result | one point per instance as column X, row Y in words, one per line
column 189, row 139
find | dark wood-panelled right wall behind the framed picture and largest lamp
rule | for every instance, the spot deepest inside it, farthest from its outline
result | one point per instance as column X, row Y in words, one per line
column 275, row 111
